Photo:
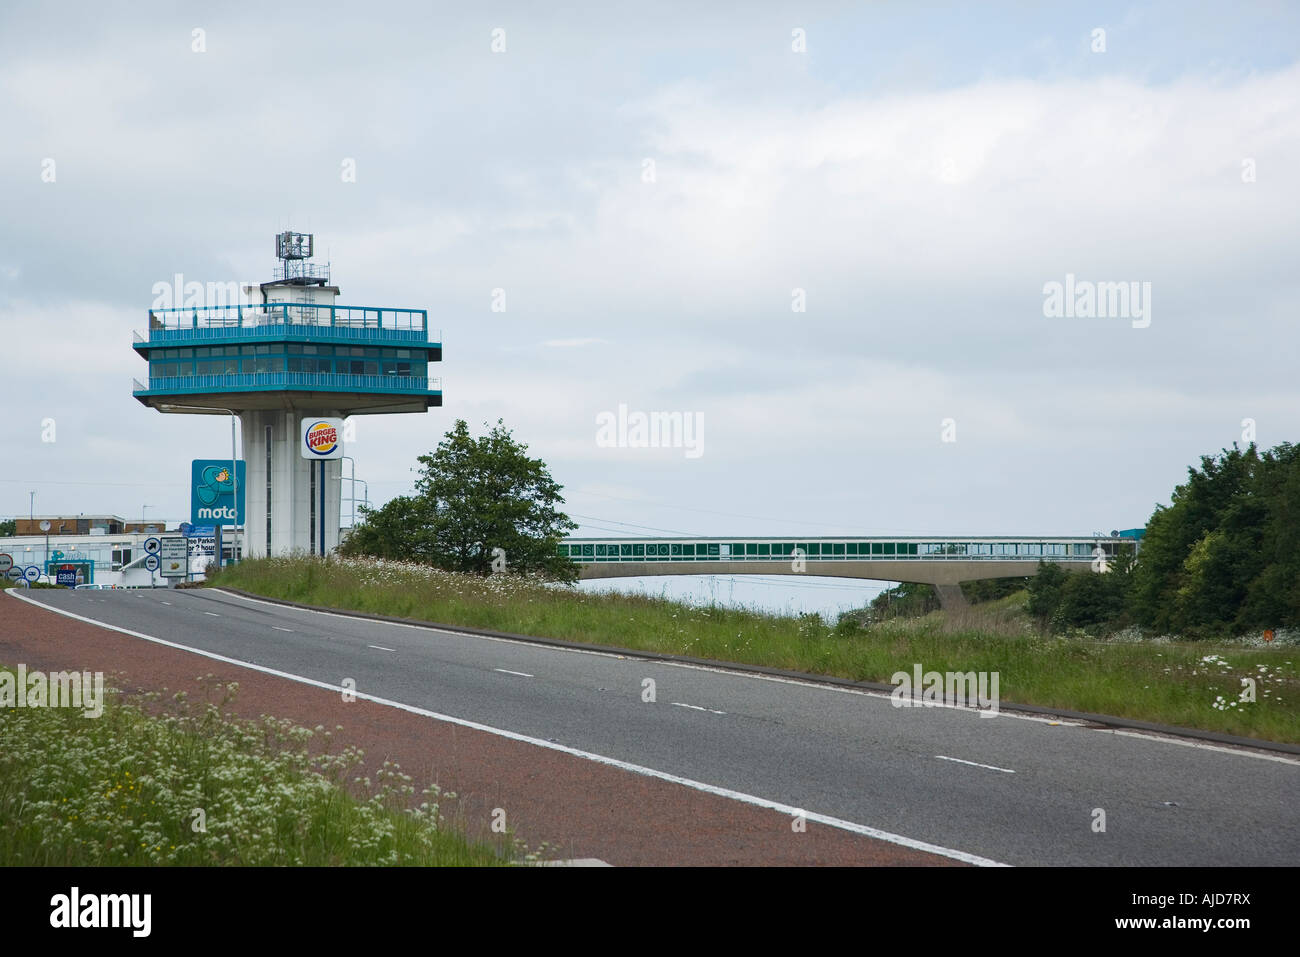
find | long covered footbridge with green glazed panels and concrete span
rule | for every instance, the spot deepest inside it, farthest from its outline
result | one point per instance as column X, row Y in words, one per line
column 942, row 562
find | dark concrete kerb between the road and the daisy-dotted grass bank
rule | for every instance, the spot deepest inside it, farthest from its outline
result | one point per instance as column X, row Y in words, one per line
column 1103, row 720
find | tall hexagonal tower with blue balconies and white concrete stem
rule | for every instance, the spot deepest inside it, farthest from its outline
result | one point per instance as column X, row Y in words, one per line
column 291, row 356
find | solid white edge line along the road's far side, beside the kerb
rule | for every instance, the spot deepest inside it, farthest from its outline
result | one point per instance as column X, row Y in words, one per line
column 756, row 677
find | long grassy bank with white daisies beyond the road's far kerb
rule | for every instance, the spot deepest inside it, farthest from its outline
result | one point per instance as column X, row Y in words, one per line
column 1189, row 685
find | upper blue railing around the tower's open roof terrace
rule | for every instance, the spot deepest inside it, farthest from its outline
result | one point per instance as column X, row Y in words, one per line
column 220, row 322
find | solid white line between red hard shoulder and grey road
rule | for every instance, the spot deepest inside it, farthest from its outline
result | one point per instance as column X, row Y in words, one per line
column 564, row 750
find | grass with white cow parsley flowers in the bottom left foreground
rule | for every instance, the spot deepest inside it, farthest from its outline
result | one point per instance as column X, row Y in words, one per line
column 192, row 786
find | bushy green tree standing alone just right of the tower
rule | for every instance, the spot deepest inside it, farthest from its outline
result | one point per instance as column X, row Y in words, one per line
column 482, row 505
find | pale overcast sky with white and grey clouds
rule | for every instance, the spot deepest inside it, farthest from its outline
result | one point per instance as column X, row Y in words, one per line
column 920, row 172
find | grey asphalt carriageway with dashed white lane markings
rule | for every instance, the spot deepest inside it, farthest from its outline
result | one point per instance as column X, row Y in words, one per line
column 1015, row 790
